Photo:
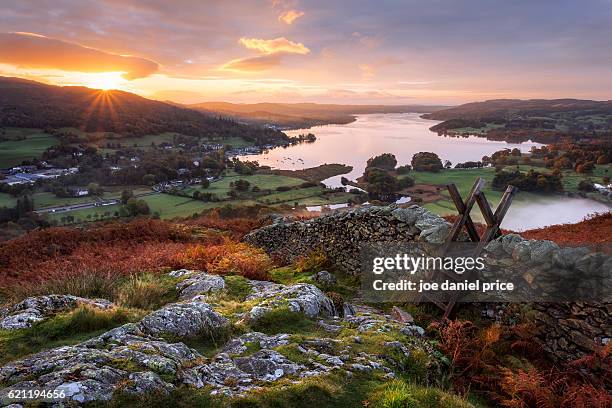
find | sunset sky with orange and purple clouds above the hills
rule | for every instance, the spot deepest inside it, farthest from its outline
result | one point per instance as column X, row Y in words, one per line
column 327, row 51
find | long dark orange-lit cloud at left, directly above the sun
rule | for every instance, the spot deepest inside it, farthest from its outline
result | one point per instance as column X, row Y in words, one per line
column 29, row 50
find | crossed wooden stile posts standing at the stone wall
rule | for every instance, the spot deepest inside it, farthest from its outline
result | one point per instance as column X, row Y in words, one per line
column 492, row 219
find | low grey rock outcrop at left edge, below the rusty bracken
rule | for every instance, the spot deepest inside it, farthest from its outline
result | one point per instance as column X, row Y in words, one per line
column 35, row 309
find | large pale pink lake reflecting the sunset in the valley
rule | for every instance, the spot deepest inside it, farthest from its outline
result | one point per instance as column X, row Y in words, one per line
column 402, row 134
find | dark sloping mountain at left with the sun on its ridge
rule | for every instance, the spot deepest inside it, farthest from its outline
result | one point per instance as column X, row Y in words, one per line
column 32, row 104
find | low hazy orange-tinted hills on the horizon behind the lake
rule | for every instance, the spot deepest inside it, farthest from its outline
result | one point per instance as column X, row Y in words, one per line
column 302, row 115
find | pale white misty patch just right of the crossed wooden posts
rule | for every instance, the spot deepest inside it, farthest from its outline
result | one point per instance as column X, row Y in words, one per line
column 551, row 210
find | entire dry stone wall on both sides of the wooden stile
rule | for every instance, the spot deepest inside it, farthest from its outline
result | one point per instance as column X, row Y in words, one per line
column 565, row 330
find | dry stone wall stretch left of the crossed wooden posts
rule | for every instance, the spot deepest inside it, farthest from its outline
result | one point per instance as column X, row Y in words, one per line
column 341, row 234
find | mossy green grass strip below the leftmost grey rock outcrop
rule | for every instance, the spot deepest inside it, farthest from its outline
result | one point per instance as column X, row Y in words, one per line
column 64, row 329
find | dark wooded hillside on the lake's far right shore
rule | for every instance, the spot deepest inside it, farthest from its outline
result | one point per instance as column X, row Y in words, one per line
column 545, row 121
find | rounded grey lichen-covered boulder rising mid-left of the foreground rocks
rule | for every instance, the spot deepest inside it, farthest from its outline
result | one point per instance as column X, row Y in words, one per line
column 183, row 319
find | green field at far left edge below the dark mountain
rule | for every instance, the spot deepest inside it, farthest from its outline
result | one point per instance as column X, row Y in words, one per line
column 18, row 145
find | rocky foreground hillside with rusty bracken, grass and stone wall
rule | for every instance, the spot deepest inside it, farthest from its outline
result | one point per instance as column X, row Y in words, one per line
column 157, row 314
